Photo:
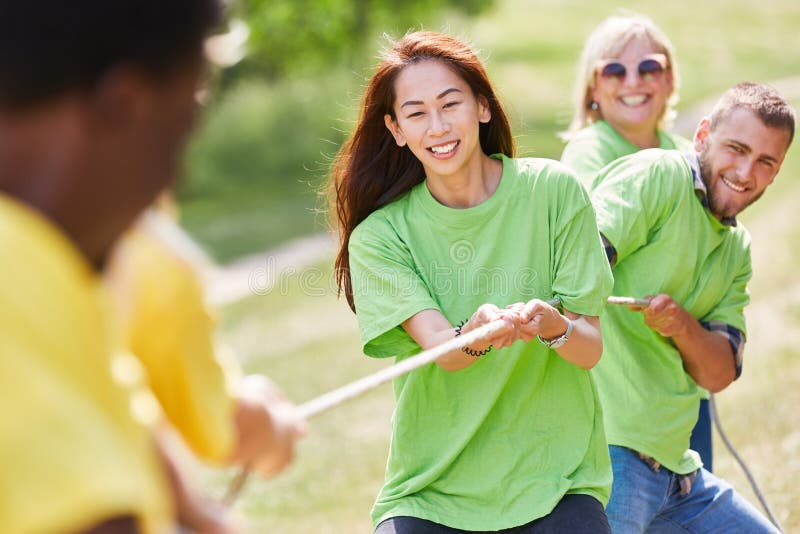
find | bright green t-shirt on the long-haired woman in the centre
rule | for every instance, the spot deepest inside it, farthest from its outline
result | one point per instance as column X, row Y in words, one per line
column 499, row 443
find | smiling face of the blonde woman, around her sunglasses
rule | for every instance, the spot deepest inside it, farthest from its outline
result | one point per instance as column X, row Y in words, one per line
column 633, row 103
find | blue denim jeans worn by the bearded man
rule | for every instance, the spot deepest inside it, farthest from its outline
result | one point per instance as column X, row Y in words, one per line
column 643, row 500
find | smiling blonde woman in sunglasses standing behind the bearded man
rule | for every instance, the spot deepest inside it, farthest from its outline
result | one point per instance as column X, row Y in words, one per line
column 625, row 95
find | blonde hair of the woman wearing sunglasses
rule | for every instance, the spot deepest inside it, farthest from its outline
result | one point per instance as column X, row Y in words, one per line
column 608, row 40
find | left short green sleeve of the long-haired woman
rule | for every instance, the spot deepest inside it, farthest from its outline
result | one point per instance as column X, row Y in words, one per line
column 387, row 288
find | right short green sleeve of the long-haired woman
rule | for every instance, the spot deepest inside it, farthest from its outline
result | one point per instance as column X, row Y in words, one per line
column 582, row 278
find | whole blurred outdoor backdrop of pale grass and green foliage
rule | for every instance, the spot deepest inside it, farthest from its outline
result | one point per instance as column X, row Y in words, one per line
column 256, row 170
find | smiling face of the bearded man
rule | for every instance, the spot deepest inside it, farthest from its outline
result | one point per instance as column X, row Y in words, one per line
column 739, row 158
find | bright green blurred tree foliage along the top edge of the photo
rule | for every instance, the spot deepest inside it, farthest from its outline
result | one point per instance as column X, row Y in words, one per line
column 296, row 37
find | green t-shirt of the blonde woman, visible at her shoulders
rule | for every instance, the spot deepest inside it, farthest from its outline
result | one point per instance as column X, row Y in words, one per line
column 599, row 144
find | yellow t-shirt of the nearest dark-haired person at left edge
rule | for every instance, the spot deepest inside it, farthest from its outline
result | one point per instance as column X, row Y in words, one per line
column 70, row 452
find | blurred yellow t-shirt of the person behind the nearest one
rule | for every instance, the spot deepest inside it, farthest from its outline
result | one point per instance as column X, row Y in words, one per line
column 163, row 321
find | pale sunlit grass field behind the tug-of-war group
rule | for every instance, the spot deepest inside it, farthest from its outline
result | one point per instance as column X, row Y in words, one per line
column 307, row 340
